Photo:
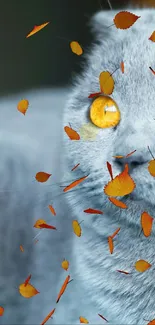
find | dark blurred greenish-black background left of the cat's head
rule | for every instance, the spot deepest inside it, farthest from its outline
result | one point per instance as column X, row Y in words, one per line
column 45, row 59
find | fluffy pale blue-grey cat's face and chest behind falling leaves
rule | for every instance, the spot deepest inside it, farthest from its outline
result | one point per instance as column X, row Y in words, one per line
column 134, row 93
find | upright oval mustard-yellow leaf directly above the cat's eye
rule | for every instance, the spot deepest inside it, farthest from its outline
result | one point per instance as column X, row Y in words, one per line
column 106, row 83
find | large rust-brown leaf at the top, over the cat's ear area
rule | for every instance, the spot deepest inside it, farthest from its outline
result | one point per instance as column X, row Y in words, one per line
column 124, row 19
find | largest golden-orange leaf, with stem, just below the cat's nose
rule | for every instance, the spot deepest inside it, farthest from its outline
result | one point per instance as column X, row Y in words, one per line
column 121, row 185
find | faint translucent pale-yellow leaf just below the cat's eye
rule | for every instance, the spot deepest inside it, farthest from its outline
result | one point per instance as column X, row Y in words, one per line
column 88, row 131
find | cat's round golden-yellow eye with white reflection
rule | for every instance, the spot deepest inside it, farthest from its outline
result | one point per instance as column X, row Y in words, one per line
column 104, row 112
